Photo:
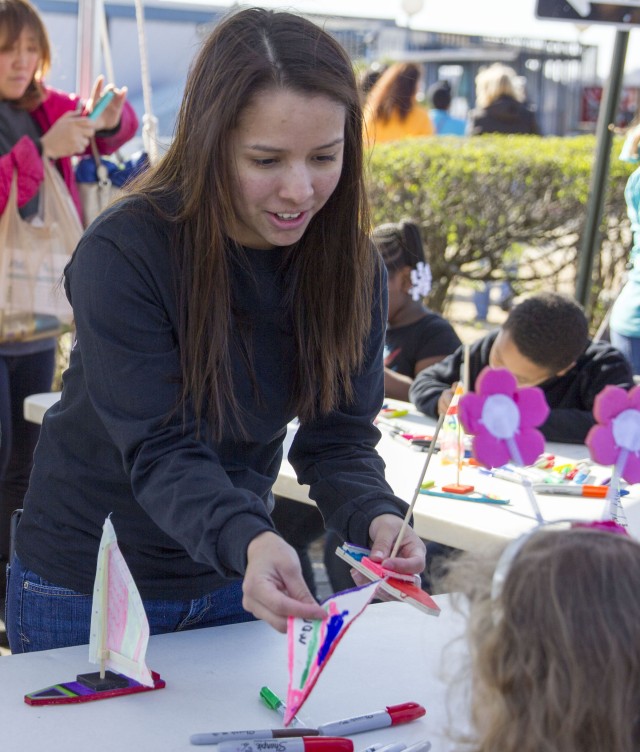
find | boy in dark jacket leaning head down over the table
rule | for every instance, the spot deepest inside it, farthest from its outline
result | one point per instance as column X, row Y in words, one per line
column 544, row 342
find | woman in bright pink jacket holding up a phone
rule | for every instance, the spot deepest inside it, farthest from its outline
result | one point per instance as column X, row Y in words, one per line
column 36, row 123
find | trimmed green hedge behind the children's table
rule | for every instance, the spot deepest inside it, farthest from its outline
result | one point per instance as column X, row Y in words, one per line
column 494, row 204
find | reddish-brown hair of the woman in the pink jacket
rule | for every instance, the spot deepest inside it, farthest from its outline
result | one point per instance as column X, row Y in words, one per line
column 16, row 15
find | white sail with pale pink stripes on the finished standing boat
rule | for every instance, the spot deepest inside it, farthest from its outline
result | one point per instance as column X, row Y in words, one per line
column 119, row 626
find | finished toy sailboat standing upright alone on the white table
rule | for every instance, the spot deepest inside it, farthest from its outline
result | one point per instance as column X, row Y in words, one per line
column 118, row 640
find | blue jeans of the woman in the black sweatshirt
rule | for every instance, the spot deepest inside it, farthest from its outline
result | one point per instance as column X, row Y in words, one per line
column 41, row 616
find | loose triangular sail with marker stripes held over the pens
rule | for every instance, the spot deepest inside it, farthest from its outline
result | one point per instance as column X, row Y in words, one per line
column 311, row 642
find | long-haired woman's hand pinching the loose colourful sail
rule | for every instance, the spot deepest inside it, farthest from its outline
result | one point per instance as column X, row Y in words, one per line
column 273, row 585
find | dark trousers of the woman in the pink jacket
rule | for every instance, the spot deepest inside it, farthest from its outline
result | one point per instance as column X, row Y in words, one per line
column 20, row 376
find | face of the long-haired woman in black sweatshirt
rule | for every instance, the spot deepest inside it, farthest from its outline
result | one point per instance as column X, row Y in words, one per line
column 287, row 151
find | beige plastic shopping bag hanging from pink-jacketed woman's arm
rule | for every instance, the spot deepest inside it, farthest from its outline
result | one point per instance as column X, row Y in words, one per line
column 33, row 255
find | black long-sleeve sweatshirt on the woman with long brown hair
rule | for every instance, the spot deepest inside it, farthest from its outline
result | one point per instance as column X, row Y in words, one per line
column 184, row 508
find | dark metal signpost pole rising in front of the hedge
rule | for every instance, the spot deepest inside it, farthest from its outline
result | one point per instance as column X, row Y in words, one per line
column 591, row 235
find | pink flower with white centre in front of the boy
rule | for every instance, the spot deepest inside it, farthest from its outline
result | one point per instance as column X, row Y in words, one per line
column 502, row 419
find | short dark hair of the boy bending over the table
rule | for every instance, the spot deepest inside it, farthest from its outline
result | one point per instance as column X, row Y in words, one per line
column 549, row 329
